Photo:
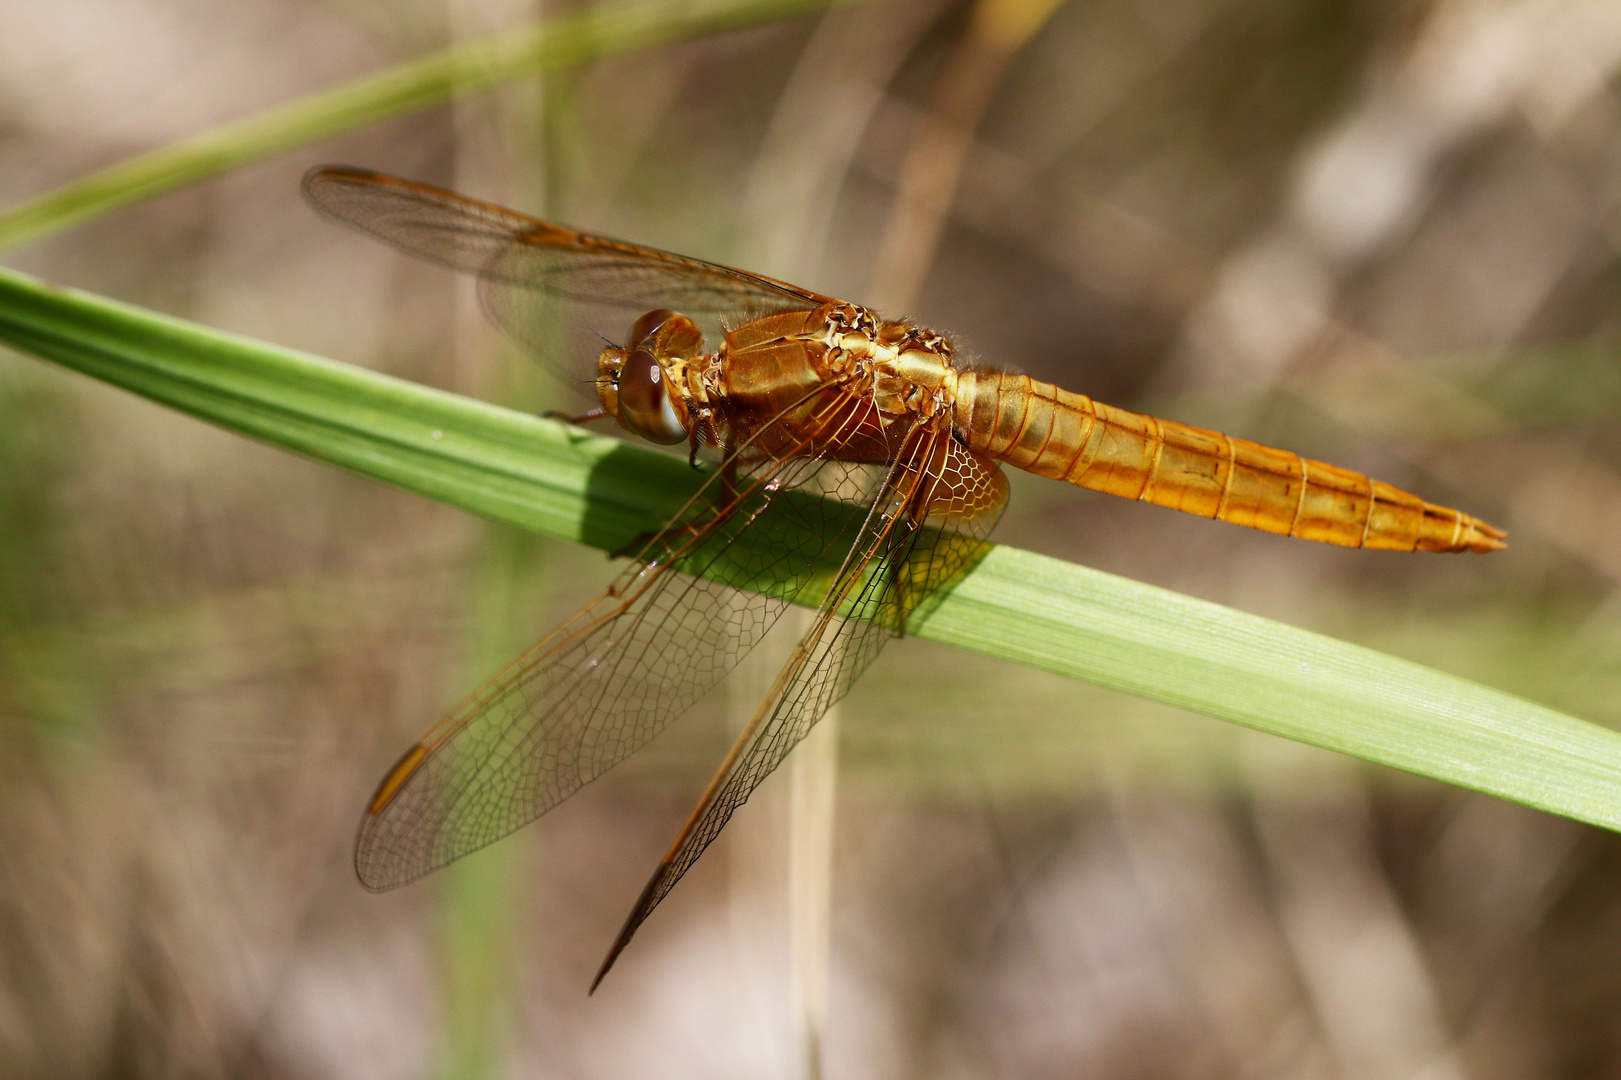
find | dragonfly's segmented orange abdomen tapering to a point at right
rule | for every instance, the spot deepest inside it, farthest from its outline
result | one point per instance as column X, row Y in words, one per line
column 1069, row 437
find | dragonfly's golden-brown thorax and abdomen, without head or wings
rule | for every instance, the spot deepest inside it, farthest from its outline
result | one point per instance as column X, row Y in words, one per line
column 787, row 367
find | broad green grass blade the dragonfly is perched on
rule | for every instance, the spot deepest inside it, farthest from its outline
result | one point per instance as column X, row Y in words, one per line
column 1016, row 606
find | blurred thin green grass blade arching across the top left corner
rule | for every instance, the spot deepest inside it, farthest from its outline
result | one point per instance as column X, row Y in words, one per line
column 565, row 41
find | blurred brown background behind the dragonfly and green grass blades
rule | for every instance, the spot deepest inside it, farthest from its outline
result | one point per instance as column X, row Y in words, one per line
column 1379, row 233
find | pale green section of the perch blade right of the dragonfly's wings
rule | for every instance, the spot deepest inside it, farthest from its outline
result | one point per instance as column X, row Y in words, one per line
column 1265, row 675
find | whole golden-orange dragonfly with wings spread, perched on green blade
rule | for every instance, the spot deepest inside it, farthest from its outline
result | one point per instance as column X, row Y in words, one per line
column 849, row 465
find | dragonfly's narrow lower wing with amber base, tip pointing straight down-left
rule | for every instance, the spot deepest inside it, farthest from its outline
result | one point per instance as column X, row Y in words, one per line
column 926, row 528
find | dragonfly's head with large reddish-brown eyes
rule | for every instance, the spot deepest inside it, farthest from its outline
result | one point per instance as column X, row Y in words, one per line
column 636, row 384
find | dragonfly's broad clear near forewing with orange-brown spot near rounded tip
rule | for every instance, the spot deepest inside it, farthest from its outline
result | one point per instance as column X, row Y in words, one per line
column 602, row 685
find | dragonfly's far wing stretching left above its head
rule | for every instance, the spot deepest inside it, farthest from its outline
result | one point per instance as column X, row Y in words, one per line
column 515, row 251
